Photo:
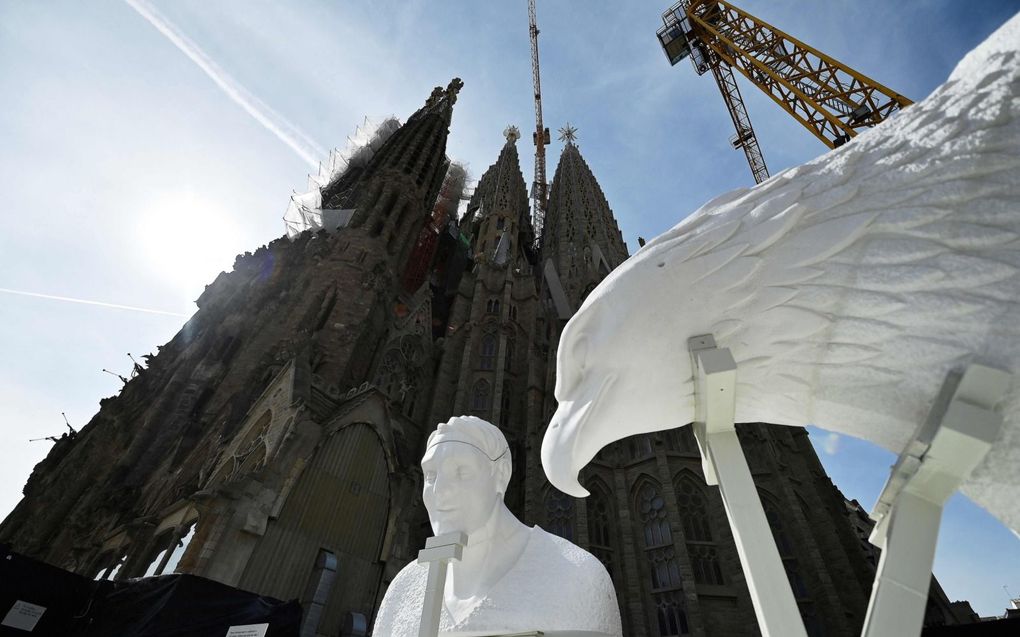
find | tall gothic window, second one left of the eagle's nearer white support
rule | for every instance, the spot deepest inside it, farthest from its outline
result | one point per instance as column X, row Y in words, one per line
column 664, row 570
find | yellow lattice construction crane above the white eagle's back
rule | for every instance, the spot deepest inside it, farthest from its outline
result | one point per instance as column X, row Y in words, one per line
column 829, row 98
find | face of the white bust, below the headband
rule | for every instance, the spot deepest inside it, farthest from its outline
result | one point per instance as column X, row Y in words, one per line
column 463, row 489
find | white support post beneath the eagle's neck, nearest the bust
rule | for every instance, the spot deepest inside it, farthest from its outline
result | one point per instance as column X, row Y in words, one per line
column 725, row 464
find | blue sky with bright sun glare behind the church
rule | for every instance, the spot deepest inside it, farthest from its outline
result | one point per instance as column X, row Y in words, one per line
column 131, row 178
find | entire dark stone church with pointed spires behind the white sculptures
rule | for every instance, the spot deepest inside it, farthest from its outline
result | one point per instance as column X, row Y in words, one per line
column 274, row 444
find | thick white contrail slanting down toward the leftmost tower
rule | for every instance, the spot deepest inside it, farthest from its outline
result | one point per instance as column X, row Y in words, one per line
column 274, row 122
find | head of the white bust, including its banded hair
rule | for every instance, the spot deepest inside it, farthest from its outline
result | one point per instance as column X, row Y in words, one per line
column 467, row 467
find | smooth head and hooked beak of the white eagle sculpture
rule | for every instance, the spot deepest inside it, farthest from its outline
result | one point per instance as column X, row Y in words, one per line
column 620, row 368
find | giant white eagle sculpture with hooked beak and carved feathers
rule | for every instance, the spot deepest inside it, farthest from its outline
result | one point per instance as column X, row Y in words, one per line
column 847, row 289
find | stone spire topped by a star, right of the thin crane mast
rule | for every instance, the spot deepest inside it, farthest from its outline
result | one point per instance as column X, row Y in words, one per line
column 582, row 238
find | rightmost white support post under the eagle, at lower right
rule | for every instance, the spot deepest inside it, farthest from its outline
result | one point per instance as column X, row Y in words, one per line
column 960, row 431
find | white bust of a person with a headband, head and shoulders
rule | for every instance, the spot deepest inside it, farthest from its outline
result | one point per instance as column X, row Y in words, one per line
column 512, row 578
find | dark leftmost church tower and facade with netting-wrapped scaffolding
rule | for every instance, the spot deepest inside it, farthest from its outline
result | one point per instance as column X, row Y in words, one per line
column 275, row 442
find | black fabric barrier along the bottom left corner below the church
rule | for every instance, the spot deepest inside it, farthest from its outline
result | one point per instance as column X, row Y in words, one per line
column 171, row 606
